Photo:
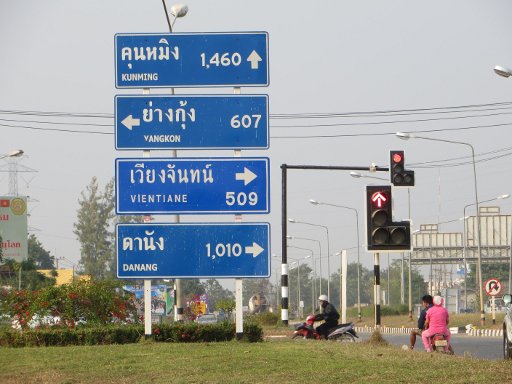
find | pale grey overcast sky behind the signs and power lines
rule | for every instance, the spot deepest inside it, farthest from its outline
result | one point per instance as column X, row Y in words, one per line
column 331, row 57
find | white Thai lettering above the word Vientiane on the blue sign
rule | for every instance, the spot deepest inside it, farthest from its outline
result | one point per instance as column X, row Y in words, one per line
column 144, row 173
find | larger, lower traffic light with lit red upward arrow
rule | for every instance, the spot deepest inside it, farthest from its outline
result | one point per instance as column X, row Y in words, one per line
column 383, row 234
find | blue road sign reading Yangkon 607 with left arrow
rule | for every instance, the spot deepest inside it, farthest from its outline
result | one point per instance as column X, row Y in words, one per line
column 191, row 122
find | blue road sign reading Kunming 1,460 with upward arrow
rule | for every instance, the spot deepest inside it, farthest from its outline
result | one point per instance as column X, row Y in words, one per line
column 191, row 59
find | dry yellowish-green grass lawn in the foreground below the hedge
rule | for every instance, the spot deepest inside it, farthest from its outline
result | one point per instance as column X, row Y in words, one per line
column 279, row 361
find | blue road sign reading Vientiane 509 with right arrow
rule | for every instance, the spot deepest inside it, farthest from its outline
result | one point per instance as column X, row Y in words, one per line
column 193, row 185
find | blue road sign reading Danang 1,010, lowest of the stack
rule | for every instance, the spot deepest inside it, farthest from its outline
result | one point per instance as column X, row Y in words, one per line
column 204, row 250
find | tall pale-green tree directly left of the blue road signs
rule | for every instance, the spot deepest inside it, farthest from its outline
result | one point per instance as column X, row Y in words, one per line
column 94, row 230
